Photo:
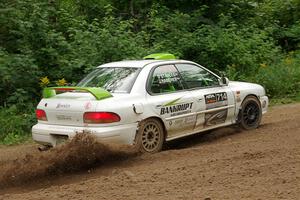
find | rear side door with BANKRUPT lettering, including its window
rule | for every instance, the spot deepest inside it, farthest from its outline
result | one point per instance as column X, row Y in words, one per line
column 170, row 100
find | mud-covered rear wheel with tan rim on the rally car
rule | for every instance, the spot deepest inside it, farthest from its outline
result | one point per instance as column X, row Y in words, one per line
column 150, row 136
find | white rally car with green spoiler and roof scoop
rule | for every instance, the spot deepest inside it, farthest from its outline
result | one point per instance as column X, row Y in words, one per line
column 147, row 102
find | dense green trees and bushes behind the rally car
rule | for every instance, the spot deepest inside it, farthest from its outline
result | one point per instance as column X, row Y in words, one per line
column 45, row 43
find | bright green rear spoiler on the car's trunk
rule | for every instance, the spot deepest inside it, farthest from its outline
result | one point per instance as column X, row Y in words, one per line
column 97, row 92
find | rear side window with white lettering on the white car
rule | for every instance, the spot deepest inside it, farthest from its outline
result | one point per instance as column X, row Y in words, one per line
column 165, row 79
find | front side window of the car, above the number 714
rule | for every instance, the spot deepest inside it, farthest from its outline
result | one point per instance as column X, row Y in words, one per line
column 196, row 77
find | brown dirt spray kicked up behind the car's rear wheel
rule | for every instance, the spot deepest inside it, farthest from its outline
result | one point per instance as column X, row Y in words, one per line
column 82, row 152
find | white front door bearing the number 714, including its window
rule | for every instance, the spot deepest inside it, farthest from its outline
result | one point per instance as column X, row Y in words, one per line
column 214, row 102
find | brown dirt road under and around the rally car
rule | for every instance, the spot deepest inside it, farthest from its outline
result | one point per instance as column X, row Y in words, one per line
column 224, row 164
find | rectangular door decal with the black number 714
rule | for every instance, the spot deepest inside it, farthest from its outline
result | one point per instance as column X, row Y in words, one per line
column 216, row 100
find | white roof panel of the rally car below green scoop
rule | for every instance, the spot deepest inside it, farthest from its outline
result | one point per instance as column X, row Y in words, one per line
column 136, row 63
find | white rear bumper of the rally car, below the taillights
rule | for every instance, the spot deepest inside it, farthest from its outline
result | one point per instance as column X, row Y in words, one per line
column 51, row 134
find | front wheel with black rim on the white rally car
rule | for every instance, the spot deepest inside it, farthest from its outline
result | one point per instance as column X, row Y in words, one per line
column 250, row 114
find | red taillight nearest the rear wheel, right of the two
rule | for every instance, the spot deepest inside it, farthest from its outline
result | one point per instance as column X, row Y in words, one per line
column 100, row 117
